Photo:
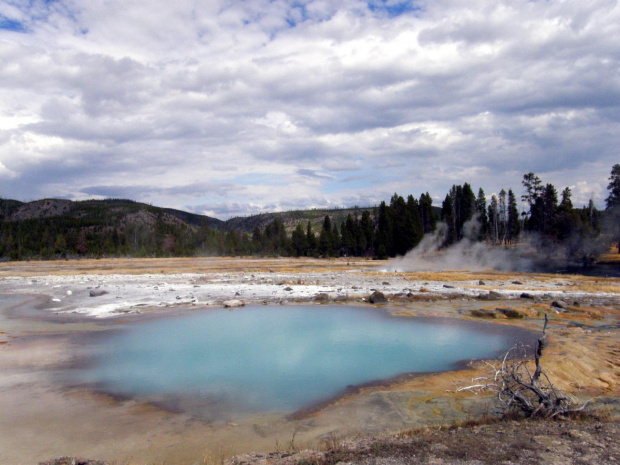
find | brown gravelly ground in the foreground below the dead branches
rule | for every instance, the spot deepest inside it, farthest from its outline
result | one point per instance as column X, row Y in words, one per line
column 509, row 442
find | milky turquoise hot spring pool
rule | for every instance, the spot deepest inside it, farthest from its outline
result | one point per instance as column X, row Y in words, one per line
column 277, row 358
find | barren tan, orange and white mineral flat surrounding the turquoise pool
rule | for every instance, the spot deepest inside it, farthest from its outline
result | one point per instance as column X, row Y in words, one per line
column 47, row 308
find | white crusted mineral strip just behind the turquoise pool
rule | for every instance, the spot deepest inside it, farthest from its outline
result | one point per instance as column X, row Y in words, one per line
column 114, row 294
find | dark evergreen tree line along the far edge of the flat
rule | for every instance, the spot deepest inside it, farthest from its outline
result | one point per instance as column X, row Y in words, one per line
column 388, row 230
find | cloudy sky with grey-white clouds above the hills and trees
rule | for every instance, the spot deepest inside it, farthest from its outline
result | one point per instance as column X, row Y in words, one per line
column 235, row 107
